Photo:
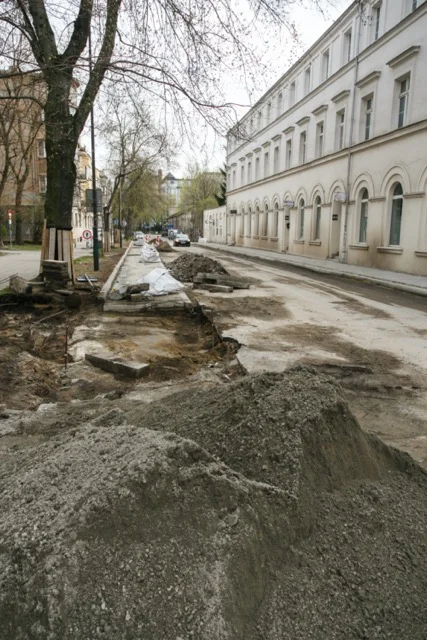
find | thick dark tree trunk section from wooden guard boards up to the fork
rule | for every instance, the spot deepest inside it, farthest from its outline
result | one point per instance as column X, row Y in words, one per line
column 61, row 144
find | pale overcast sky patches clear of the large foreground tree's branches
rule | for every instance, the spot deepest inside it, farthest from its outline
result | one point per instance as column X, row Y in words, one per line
column 208, row 149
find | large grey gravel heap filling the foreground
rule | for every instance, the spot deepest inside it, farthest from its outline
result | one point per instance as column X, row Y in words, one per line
column 256, row 510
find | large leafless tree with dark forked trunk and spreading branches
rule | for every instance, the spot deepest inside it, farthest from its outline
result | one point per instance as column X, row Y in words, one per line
column 175, row 50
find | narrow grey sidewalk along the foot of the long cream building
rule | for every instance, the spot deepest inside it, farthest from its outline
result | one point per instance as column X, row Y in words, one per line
column 391, row 279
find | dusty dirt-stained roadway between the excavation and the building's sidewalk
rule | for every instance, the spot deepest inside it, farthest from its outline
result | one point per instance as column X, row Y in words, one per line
column 374, row 340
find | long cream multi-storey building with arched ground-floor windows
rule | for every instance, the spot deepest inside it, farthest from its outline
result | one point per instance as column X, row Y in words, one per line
column 331, row 161
